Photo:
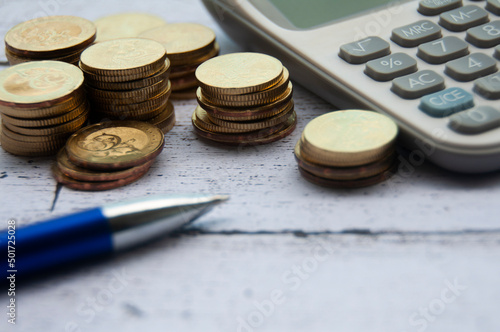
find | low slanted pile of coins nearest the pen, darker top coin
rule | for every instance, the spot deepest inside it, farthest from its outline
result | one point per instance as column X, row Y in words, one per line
column 108, row 155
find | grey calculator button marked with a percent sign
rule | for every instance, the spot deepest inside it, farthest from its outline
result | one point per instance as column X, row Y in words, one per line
column 391, row 66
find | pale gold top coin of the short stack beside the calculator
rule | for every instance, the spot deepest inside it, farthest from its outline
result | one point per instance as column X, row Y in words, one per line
column 348, row 138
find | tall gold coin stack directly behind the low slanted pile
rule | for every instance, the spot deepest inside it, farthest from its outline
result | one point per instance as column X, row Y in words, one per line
column 128, row 79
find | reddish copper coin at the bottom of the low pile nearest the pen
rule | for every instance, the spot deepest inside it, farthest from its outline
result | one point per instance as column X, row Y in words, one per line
column 94, row 186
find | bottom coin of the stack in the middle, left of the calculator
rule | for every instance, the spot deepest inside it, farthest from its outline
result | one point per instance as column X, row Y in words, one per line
column 254, row 138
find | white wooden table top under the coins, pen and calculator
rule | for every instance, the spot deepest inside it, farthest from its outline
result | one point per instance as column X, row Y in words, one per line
column 420, row 252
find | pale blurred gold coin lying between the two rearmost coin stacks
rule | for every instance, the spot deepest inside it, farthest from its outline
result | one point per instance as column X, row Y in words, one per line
column 125, row 25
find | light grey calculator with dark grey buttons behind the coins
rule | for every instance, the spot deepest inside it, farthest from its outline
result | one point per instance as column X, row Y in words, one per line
column 430, row 65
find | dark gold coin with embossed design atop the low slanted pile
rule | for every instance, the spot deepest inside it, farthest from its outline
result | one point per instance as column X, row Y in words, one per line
column 115, row 145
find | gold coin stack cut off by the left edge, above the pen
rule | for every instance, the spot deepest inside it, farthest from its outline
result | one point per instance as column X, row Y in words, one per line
column 42, row 103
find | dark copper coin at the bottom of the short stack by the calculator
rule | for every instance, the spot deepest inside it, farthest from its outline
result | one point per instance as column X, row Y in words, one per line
column 359, row 183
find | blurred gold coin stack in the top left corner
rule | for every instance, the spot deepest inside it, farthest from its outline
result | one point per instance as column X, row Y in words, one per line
column 61, row 38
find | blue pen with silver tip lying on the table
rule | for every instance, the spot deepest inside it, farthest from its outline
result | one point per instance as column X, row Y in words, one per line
column 97, row 232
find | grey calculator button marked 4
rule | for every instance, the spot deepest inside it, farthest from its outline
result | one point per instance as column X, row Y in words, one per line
column 471, row 67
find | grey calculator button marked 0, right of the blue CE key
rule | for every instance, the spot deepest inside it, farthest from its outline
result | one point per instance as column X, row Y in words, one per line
column 475, row 121
